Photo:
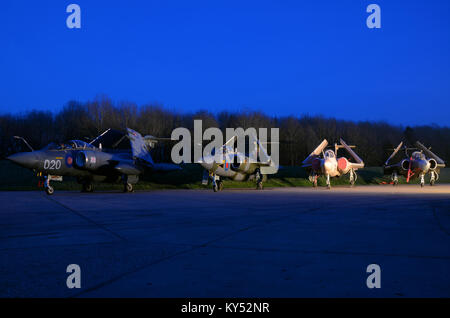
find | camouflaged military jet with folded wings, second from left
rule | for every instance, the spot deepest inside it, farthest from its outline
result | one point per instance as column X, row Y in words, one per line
column 227, row 162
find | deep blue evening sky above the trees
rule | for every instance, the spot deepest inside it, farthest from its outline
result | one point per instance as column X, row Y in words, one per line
column 281, row 57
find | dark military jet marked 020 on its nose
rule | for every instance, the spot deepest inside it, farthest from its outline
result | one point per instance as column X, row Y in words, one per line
column 90, row 162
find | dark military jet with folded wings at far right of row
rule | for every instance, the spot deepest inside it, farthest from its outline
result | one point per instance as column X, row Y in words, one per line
column 419, row 163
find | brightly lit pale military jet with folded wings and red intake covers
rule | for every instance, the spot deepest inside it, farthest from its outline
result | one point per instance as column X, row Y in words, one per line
column 325, row 162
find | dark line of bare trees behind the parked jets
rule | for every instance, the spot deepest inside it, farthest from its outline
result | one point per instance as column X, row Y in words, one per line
column 299, row 135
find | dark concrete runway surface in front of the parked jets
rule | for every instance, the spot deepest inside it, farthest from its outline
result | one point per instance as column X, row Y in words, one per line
column 284, row 242
